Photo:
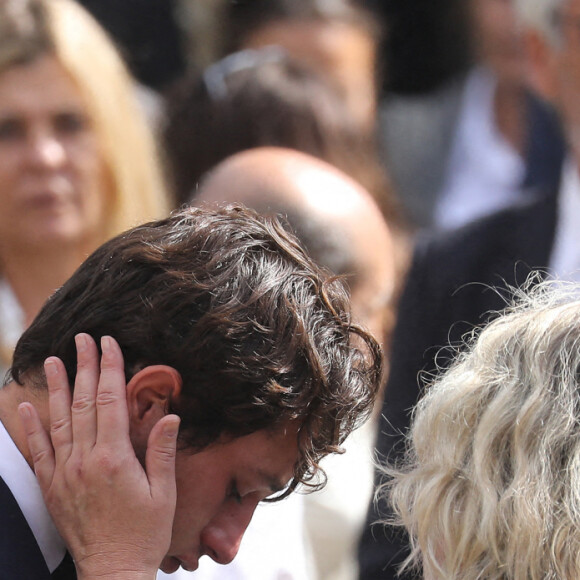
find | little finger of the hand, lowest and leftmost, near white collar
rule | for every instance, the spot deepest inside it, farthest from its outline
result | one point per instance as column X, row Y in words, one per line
column 41, row 450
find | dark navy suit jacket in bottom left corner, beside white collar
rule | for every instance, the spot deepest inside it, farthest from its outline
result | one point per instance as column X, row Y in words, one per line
column 20, row 556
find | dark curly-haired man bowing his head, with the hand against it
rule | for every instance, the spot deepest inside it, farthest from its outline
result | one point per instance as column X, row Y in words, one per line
column 216, row 317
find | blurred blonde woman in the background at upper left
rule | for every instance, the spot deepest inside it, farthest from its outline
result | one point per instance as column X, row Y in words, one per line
column 78, row 162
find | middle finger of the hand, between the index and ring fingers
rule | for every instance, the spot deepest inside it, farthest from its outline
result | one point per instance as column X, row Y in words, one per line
column 83, row 410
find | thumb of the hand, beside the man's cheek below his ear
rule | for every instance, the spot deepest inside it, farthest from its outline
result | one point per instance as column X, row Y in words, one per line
column 160, row 458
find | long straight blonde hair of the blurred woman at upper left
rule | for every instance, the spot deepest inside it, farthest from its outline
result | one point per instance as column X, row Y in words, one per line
column 62, row 28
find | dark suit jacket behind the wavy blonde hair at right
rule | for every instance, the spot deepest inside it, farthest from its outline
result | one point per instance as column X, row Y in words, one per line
column 449, row 290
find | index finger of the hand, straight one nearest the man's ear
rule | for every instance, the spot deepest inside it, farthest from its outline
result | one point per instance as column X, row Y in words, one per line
column 112, row 412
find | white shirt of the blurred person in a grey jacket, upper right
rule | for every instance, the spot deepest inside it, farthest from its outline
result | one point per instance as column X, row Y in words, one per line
column 484, row 172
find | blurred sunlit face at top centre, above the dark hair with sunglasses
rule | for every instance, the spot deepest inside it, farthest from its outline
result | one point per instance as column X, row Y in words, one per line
column 345, row 54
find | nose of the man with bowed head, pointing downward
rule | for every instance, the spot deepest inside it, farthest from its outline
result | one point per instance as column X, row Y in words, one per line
column 221, row 538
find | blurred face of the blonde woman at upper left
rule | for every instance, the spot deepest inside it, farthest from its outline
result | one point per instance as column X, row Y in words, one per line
column 52, row 177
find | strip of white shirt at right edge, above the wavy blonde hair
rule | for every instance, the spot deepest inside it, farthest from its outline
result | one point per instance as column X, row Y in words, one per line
column 565, row 257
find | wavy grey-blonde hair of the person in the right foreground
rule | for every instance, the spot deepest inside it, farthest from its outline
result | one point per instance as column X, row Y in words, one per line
column 491, row 484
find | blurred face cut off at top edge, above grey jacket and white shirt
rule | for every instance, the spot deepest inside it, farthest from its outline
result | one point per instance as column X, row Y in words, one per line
column 497, row 39
